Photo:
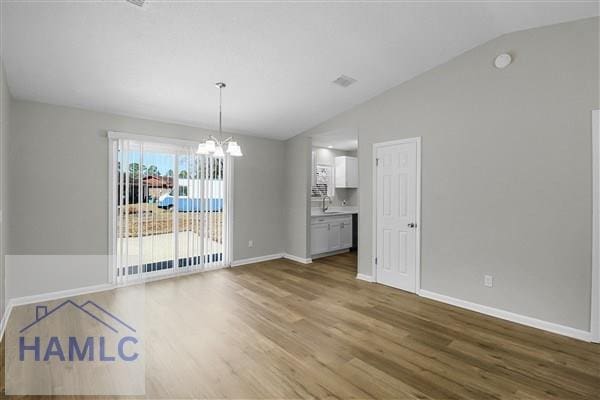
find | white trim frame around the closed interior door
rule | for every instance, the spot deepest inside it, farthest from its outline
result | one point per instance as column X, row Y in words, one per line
column 377, row 146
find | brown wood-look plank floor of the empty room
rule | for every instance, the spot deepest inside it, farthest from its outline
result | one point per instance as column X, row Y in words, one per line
column 279, row 329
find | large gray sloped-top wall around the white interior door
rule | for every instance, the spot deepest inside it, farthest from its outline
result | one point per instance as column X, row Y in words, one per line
column 506, row 170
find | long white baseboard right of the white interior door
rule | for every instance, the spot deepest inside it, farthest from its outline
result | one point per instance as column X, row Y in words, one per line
column 509, row 316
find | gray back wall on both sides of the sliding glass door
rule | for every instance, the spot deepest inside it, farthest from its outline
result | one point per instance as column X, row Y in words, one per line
column 58, row 179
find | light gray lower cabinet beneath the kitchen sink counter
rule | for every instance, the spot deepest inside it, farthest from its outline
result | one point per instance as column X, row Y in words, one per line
column 330, row 234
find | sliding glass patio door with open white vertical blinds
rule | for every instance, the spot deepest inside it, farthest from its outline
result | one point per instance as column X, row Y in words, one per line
column 170, row 209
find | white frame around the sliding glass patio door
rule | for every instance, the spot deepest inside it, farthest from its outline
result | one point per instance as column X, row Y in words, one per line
column 113, row 137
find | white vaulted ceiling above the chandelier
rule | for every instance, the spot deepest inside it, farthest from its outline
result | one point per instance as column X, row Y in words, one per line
column 161, row 61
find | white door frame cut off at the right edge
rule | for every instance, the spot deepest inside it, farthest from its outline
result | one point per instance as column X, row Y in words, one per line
column 595, row 295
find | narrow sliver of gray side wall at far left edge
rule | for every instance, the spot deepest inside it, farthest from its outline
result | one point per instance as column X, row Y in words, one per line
column 5, row 102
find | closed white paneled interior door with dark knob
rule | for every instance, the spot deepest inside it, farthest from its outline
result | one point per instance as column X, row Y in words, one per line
column 397, row 214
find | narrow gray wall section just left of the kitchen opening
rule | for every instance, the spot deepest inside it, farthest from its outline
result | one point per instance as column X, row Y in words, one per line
column 296, row 195
